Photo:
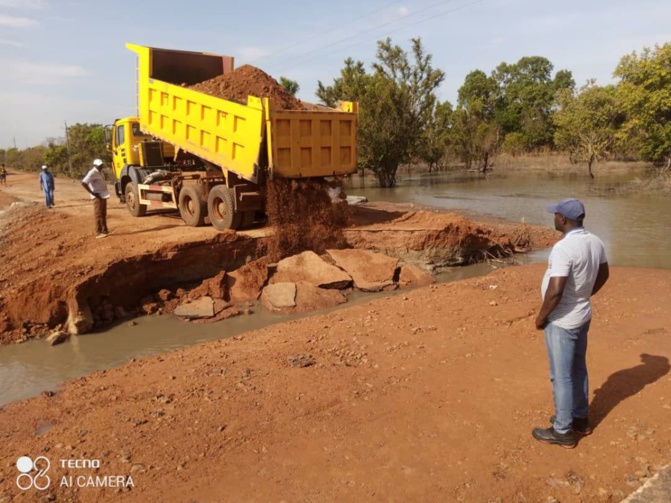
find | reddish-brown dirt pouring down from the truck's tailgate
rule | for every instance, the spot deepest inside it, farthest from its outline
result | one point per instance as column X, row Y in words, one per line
column 304, row 217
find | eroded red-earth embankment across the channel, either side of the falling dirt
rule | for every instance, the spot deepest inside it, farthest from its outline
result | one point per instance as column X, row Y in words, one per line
column 64, row 283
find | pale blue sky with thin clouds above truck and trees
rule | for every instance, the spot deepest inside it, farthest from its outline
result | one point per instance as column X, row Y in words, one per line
column 65, row 60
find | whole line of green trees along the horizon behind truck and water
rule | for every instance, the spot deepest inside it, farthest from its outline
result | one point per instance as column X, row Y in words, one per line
column 518, row 108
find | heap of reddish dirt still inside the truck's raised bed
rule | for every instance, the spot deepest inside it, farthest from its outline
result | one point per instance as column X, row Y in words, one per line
column 249, row 81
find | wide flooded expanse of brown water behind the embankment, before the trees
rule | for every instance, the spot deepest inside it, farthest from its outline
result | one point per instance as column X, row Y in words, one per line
column 635, row 229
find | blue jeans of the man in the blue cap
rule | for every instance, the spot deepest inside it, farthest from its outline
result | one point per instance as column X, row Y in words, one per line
column 568, row 372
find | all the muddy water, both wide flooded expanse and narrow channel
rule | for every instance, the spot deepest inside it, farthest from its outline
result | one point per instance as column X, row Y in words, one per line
column 634, row 229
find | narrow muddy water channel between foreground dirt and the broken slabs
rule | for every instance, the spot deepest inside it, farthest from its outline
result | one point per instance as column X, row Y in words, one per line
column 28, row 369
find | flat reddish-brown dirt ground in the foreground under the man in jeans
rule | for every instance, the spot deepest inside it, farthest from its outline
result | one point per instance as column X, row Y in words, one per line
column 426, row 396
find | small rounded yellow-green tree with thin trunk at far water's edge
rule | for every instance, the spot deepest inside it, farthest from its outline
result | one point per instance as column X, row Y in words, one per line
column 586, row 123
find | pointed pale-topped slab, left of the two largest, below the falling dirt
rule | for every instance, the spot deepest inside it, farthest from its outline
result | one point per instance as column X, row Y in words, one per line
column 308, row 267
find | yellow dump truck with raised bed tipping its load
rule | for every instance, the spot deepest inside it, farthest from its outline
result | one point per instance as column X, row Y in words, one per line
column 210, row 158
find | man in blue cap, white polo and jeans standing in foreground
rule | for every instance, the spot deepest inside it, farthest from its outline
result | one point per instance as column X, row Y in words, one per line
column 577, row 269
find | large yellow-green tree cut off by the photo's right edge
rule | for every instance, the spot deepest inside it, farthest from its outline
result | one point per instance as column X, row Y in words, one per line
column 644, row 93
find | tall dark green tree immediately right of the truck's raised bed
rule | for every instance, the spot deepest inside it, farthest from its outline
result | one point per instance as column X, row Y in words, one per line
column 397, row 100
